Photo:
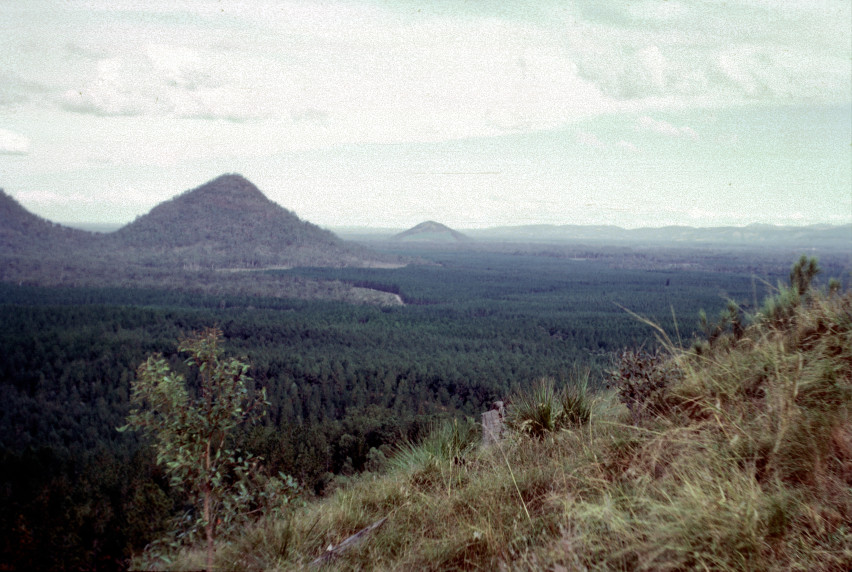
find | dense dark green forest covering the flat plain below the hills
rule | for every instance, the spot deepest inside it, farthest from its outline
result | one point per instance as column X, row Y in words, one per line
column 346, row 382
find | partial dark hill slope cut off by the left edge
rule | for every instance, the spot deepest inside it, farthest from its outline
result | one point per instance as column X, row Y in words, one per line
column 23, row 232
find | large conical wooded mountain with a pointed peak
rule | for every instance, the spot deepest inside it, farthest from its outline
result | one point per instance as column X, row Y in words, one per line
column 229, row 223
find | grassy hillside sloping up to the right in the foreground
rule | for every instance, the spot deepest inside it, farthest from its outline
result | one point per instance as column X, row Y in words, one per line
column 735, row 454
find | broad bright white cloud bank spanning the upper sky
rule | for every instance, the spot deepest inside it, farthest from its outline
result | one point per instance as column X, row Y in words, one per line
column 321, row 74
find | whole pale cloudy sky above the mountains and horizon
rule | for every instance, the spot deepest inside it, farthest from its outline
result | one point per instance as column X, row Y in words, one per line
column 473, row 113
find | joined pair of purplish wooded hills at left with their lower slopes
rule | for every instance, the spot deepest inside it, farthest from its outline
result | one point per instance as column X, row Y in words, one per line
column 199, row 241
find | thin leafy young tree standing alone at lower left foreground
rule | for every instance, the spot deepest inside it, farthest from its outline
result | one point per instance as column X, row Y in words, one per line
column 192, row 433
